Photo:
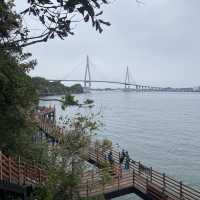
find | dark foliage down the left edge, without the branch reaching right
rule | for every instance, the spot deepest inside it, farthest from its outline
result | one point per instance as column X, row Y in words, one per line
column 18, row 97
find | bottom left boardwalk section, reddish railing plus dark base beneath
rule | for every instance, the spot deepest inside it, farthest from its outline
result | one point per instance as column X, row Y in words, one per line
column 17, row 177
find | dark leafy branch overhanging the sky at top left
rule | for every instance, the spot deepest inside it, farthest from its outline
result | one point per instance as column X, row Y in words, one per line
column 57, row 19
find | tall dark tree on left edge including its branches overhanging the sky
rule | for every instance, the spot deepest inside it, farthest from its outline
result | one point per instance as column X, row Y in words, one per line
column 17, row 93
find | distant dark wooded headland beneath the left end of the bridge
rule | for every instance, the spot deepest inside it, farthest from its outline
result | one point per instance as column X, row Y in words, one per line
column 46, row 88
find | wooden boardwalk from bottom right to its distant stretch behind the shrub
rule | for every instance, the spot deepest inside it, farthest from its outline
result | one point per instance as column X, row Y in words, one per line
column 139, row 179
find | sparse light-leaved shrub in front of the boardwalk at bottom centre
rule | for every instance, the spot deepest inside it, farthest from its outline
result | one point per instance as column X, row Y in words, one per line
column 66, row 161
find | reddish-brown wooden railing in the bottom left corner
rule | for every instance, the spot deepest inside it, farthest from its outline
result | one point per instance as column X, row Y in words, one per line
column 20, row 172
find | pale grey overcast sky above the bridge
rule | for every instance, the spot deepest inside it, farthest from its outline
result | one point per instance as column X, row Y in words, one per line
column 159, row 41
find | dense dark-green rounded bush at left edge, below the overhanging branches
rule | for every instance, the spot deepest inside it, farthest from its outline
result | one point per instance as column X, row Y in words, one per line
column 17, row 97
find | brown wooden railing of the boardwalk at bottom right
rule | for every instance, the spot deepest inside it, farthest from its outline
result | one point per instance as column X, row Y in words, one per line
column 150, row 182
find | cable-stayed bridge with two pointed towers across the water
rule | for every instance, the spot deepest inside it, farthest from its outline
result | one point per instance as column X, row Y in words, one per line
column 128, row 85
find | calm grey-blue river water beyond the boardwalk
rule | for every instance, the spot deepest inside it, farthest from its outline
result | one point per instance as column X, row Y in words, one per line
column 160, row 129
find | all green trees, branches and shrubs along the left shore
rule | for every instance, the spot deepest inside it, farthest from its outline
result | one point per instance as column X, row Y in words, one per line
column 19, row 93
